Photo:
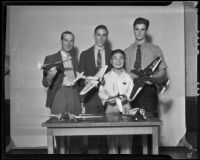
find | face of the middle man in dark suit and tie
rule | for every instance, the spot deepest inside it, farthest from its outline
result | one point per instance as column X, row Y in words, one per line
column 100, row 36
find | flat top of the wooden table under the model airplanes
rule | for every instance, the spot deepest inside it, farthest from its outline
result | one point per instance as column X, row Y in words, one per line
column 106, row 120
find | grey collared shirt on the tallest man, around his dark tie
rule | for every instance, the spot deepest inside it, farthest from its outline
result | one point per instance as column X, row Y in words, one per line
column 148, row 53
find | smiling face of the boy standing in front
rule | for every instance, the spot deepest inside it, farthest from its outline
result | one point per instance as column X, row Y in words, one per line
column 117, row 60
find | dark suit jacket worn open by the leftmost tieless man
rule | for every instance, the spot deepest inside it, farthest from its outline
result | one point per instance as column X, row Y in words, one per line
column 58, row 79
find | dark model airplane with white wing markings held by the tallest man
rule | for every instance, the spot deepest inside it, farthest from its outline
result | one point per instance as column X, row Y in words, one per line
column 145, row 75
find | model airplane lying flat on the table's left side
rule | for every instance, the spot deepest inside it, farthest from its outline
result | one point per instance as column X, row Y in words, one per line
column 69, row 116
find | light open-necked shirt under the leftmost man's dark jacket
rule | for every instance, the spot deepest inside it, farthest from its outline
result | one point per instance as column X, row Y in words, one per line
column 68, row 70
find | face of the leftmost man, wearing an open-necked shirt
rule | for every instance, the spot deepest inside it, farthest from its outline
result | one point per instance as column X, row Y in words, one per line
column 67, row 42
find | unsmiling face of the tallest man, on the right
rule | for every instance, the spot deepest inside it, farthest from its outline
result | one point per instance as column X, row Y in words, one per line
column 140, row 32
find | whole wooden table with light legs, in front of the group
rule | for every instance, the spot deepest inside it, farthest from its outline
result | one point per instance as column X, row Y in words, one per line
column 106, row 125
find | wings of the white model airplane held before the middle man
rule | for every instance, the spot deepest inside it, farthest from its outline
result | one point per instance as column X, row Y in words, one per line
column 94, row 80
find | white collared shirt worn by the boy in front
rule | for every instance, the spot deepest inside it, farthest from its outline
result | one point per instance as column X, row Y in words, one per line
column 115, row 84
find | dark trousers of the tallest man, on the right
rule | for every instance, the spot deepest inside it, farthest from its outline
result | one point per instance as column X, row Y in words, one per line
column 147, row 99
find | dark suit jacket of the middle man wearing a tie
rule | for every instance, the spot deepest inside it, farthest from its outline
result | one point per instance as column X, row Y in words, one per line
column 87, row 65
